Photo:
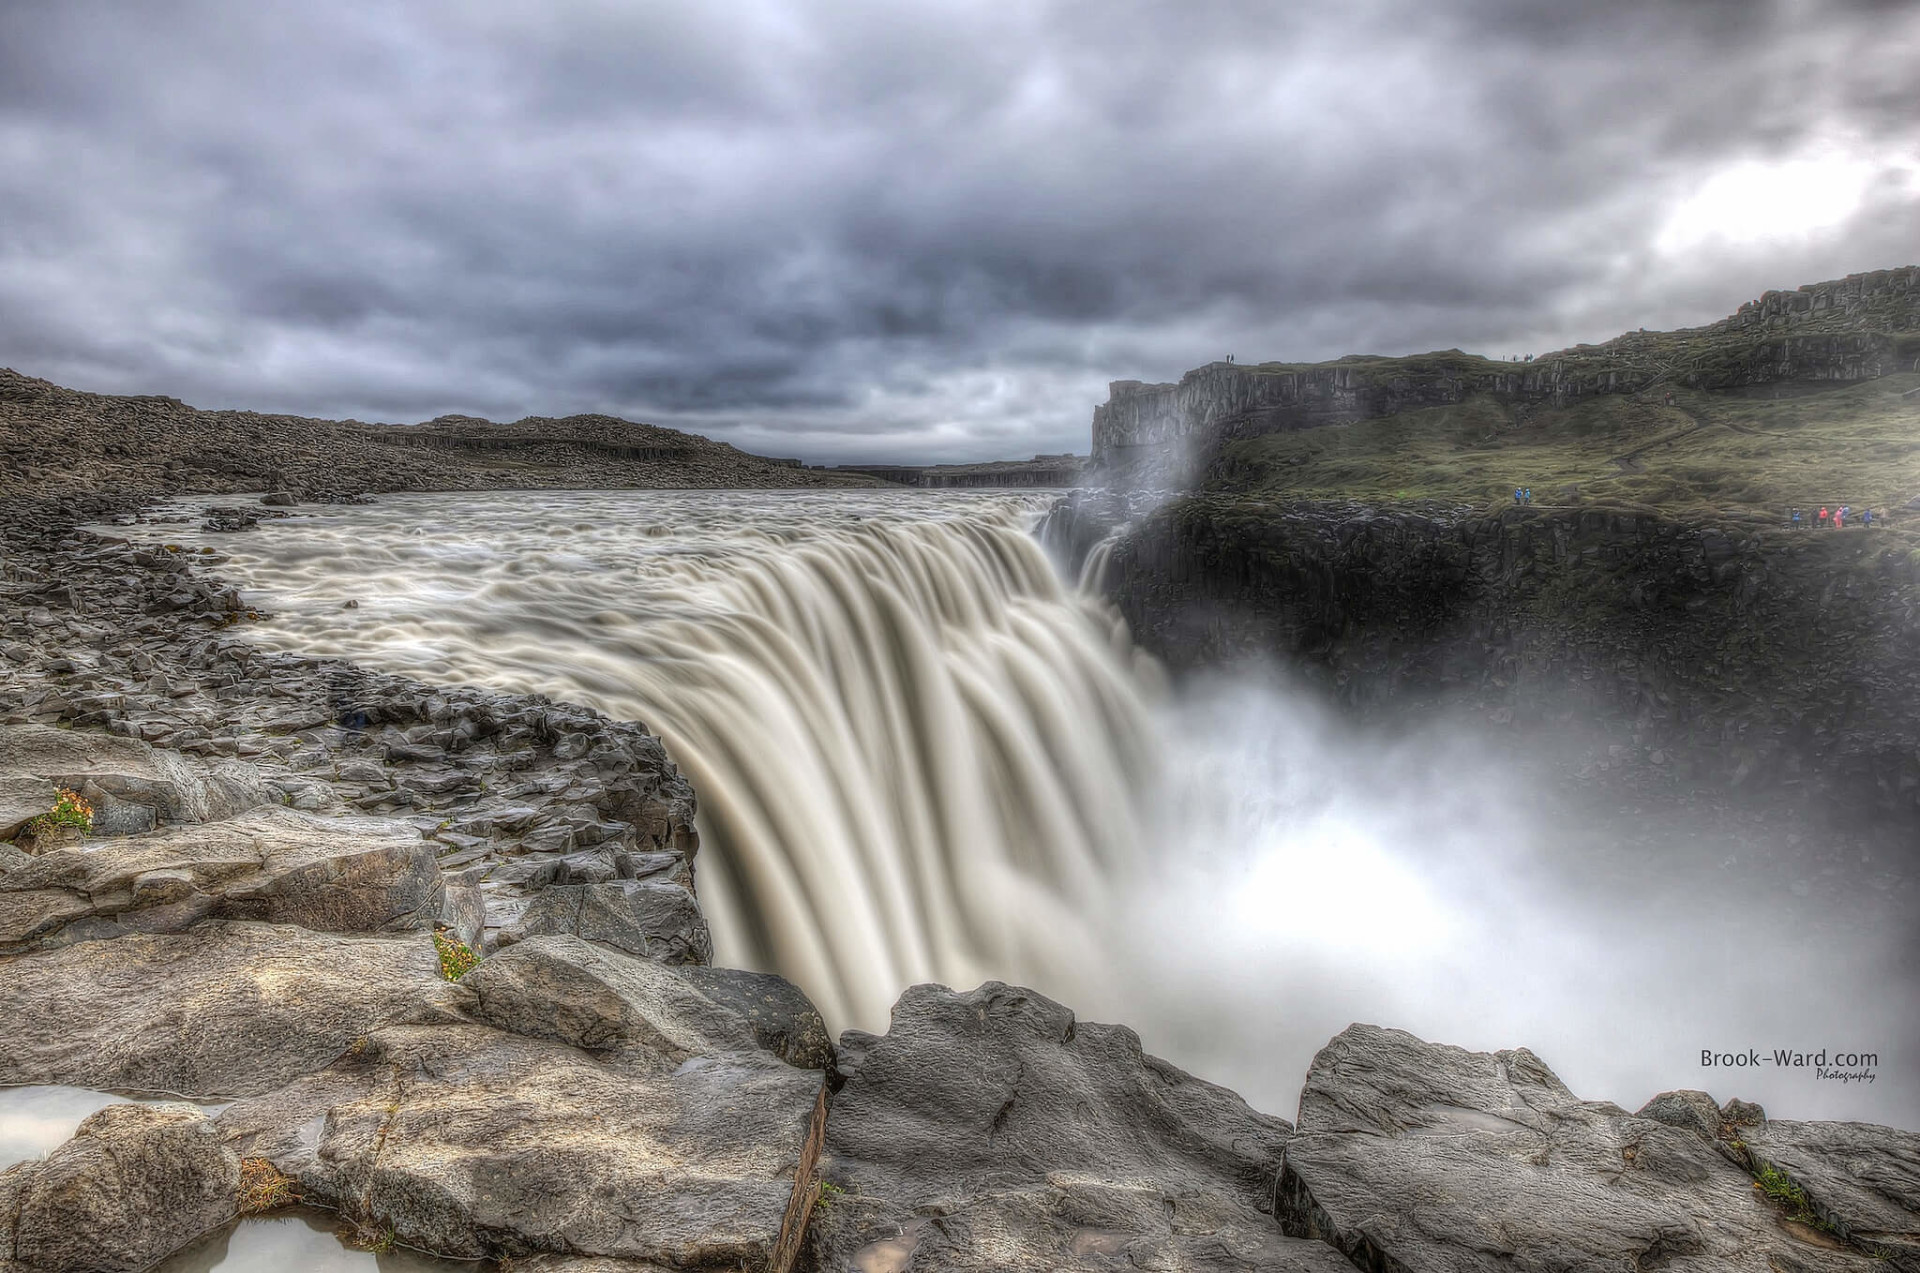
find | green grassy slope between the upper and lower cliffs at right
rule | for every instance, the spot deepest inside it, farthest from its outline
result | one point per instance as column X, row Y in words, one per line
column 1710, row 452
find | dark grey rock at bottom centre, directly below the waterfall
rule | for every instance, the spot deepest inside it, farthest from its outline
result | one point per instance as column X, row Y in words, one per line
column 996, row 1132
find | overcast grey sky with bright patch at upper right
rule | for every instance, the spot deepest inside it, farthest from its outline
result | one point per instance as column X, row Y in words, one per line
column 901, row 229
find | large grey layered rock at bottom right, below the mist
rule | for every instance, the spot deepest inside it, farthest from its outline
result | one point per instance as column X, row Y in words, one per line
column 1441, row 1161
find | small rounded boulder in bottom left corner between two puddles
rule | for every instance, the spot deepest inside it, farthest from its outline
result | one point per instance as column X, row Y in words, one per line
column 133, row 1186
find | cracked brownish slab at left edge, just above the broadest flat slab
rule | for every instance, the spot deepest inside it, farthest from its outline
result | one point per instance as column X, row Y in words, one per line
column 276, row 865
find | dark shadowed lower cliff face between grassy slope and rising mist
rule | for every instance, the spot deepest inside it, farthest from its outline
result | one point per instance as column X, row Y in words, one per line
column 1719, row 654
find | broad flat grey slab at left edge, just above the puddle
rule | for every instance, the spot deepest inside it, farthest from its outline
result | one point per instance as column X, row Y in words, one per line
column 220, row 1011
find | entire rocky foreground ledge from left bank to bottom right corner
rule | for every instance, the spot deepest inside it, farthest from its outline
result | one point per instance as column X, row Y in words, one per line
column 293, row 863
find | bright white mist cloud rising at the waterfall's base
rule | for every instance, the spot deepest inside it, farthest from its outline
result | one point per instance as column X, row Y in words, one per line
column 1433, row 878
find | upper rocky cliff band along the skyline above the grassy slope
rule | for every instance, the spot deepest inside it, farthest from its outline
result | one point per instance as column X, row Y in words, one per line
column 1852, row 329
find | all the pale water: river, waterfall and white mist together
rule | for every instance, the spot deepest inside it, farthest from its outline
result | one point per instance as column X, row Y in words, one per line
column 921, row 757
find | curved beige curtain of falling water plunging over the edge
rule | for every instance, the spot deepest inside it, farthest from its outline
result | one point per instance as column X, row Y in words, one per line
column 917, row 759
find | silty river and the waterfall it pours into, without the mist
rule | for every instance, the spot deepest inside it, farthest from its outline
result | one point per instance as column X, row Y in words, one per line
column 919, row 756
